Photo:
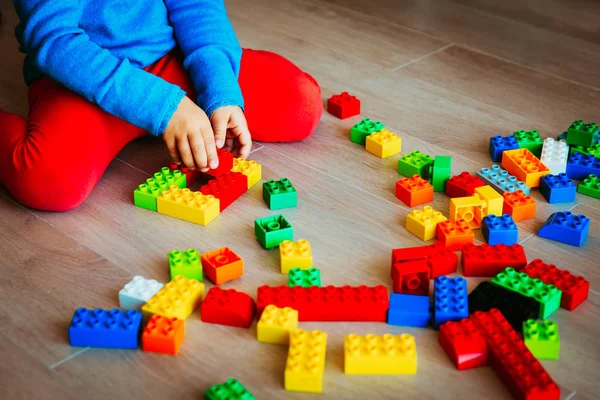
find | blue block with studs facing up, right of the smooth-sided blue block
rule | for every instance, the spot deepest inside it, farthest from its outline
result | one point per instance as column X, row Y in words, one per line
column 450, row 300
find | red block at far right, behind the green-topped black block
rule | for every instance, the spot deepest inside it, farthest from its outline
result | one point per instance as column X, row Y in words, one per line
column 575, row 288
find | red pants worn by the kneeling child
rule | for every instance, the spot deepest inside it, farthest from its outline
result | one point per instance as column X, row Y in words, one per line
column 53, row 160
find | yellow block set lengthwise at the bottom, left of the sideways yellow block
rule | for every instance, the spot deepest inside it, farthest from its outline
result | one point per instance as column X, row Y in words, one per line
column 306, row 361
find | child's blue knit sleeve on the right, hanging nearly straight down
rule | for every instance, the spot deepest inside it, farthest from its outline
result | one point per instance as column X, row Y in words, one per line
column 211, row 50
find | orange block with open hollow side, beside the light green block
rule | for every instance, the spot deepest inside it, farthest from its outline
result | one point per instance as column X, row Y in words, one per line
column 222, row 265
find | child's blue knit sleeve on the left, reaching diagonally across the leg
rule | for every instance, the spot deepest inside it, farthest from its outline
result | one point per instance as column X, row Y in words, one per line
column 61, row 50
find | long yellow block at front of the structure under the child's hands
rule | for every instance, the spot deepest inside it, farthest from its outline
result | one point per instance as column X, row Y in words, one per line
column 187, row 205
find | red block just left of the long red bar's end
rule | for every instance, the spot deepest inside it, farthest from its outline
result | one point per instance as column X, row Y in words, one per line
column 228, row 307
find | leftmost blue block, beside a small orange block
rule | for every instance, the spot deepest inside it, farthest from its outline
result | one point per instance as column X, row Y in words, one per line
column 102, row 328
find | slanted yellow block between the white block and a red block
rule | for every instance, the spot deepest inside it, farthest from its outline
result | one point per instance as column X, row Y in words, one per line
column 177, row 299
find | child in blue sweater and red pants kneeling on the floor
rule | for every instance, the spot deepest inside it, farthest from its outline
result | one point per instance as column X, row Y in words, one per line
column 102, row 73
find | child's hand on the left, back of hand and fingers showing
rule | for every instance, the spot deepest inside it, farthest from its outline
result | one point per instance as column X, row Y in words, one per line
column 190, row 138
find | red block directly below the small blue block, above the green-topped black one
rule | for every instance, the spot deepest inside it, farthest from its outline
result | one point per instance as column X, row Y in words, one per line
column 488, row 260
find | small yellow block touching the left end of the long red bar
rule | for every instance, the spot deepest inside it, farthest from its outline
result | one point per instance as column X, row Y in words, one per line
column 276, row 324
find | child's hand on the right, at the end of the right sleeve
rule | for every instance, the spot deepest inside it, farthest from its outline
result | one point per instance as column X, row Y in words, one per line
column 231, row 130
